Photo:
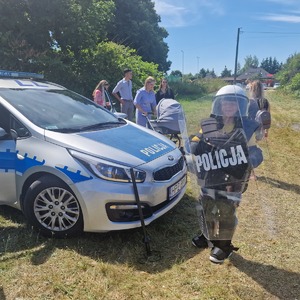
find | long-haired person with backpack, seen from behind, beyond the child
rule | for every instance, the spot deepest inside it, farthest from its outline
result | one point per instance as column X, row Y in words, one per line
column 259, row 108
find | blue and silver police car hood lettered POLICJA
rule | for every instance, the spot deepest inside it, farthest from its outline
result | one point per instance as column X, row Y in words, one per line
column 126, row 144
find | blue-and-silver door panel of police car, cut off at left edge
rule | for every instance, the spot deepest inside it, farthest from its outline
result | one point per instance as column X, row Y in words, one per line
column 7, row 168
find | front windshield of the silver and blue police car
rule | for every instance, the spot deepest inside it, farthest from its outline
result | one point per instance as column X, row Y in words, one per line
column 59, row 110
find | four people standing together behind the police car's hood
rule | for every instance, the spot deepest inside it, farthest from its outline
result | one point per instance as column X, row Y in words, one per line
column 145, row 101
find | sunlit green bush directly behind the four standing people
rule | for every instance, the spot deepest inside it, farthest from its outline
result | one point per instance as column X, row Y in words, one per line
column 106, row 61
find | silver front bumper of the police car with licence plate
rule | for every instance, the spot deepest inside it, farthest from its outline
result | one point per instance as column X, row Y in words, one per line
column 108, row 206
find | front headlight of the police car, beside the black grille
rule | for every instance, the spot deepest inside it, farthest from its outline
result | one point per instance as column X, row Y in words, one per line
column 108, row 170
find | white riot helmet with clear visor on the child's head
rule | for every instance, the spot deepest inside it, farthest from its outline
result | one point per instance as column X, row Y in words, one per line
column 230, row 94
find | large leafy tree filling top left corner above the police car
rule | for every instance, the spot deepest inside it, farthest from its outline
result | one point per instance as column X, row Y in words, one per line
column 32, row 29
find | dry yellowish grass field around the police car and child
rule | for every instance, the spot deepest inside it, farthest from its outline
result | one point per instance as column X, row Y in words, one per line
column 113, row 265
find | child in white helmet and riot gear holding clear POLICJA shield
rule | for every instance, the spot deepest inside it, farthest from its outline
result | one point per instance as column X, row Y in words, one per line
column 224, row 154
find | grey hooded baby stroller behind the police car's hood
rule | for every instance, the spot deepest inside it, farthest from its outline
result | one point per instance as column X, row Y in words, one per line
column 168, row 111
